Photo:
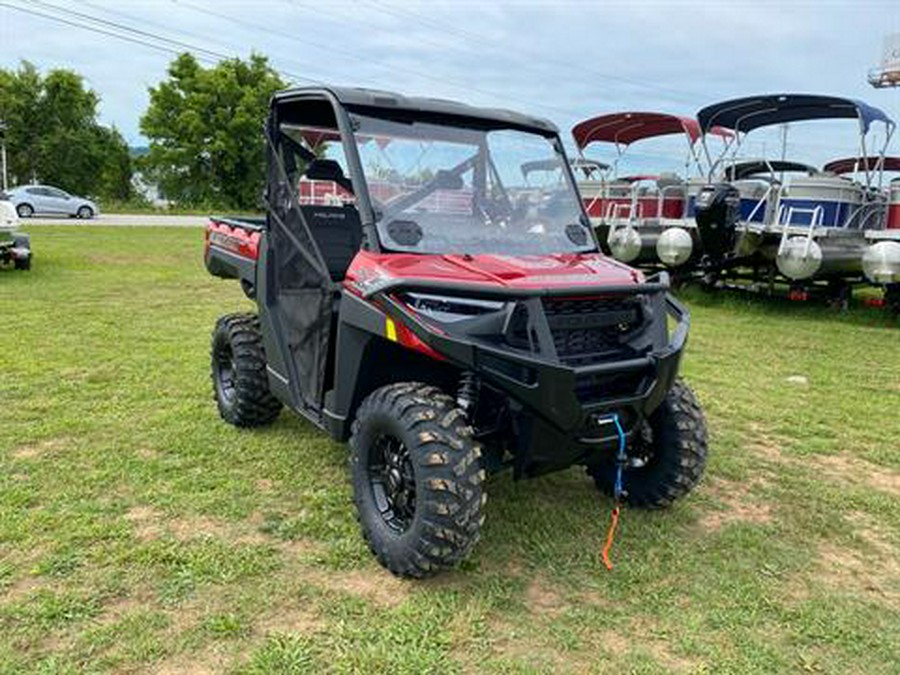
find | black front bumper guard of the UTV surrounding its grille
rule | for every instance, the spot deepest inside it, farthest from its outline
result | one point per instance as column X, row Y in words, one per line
column 561, row 409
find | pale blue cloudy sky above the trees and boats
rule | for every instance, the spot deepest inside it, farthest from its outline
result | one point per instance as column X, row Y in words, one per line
column 565, row 60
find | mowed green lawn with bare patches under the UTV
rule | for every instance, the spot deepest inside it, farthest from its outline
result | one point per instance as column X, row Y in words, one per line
column 138, row 532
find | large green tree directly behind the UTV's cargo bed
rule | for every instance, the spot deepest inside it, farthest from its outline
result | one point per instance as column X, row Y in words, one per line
column 205, row 131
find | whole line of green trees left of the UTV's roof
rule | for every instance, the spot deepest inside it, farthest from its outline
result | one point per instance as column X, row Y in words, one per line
column 203, row 124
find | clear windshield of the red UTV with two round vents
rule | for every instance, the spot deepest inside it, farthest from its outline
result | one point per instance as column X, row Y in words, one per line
column 452, row 189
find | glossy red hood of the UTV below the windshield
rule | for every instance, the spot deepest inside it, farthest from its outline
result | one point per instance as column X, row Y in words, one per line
column 520, row 272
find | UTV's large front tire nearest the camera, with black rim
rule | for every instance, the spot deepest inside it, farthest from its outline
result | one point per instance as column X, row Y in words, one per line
column 417, row 479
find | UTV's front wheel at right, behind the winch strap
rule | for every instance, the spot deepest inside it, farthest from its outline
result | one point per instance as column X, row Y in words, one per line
column 669, row 457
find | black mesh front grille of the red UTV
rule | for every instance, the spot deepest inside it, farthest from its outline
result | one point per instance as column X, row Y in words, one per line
column 592, row 330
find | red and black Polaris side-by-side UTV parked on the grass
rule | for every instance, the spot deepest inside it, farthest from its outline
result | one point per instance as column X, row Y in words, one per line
column 420, row 298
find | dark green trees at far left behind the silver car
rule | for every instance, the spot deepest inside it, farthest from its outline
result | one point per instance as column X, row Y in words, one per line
column 53, row 134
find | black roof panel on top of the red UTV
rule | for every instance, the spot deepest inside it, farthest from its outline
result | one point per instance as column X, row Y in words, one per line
column 354, row 97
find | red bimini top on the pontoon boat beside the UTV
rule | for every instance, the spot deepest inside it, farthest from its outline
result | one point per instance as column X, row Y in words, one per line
column 628, row 127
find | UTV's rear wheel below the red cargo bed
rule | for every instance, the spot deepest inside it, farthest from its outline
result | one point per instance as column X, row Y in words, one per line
column 238, row 365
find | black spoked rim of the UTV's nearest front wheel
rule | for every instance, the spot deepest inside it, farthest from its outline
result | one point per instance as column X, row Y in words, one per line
column 393, row 482
